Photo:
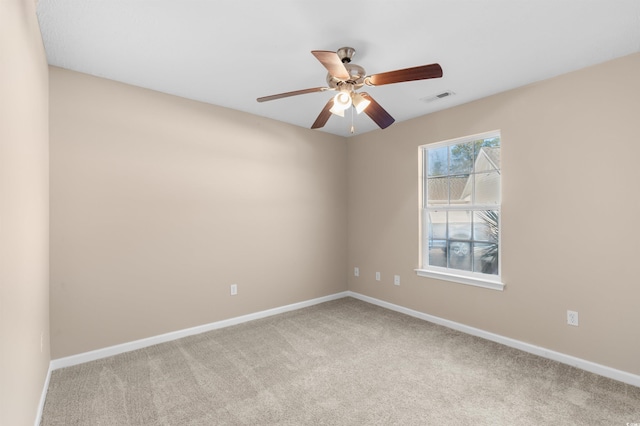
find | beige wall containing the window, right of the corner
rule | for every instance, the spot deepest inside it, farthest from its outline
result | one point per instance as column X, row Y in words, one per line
column 570, row 152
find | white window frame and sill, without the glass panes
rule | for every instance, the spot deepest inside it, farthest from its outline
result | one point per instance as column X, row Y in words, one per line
column 478, row 279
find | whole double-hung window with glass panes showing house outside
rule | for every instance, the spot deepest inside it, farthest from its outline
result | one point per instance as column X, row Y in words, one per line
column 460, row 210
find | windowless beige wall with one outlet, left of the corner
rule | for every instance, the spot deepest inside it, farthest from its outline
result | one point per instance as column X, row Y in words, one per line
column 158, row 204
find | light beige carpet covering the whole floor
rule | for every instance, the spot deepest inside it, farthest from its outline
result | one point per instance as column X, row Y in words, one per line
column 344, row 362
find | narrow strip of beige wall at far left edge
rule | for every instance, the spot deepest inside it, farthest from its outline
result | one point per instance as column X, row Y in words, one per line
column 24, row 220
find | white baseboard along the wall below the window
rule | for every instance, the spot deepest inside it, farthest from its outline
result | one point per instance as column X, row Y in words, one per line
column 582, row 364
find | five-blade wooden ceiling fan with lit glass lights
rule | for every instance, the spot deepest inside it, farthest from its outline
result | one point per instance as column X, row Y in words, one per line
column 346, row 78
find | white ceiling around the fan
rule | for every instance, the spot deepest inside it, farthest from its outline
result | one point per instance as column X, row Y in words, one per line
column 229, row 52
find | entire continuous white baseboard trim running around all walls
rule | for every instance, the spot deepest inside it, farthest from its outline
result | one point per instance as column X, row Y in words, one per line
column 592, row 367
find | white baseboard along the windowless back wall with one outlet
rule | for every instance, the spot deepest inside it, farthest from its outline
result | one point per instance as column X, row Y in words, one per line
column 162, row 338
